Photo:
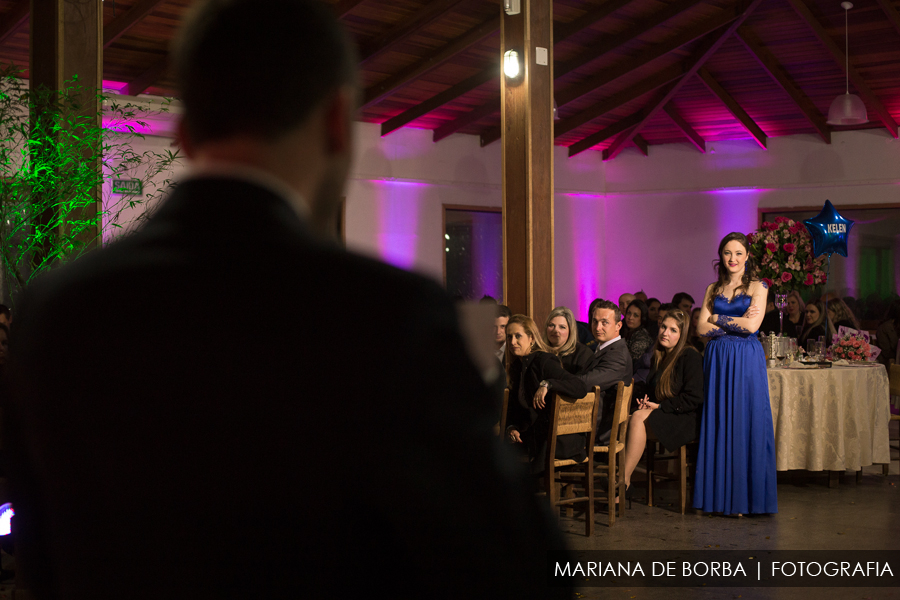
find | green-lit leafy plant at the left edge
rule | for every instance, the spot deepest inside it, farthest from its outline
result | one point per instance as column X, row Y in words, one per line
column 55, row 156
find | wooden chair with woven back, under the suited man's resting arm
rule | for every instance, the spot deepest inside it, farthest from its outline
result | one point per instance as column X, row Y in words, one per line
column 572, row 416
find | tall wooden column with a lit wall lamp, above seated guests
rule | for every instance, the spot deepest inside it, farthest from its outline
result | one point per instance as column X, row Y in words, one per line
column 527, row 128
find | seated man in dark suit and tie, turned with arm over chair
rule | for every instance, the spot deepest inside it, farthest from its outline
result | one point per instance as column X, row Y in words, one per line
column 610, row 364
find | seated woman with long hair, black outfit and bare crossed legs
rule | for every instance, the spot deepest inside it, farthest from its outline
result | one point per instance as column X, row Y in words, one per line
column 673, row 396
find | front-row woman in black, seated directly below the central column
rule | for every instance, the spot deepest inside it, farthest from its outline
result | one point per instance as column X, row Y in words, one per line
column 528, row 363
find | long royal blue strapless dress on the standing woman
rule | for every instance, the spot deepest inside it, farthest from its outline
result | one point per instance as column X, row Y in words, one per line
column 736, row 459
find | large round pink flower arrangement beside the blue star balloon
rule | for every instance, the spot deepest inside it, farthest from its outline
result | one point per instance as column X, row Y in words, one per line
column 783, row 251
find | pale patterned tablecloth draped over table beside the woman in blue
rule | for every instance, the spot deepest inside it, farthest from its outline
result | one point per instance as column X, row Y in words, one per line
column 830, row 419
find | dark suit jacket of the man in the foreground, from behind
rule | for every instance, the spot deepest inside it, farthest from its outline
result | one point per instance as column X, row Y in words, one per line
column 180, row 428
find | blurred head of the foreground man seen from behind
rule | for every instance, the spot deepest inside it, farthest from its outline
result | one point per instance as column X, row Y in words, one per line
column 299, row 130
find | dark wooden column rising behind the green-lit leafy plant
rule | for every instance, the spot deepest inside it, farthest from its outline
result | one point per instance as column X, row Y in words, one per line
column 67, row 40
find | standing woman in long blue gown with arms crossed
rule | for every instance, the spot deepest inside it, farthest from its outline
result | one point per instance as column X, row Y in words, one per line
column 736, row 460
